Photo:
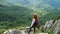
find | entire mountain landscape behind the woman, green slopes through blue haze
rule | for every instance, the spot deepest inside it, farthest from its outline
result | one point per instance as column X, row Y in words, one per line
column 18, row 13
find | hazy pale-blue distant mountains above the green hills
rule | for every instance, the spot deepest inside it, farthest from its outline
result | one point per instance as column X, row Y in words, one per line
column 33, row 3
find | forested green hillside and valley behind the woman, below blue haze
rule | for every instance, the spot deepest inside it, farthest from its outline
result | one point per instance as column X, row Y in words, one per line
column 17, row 16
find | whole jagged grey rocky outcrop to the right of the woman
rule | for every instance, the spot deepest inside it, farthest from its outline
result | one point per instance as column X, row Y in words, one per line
column 52, row 24
